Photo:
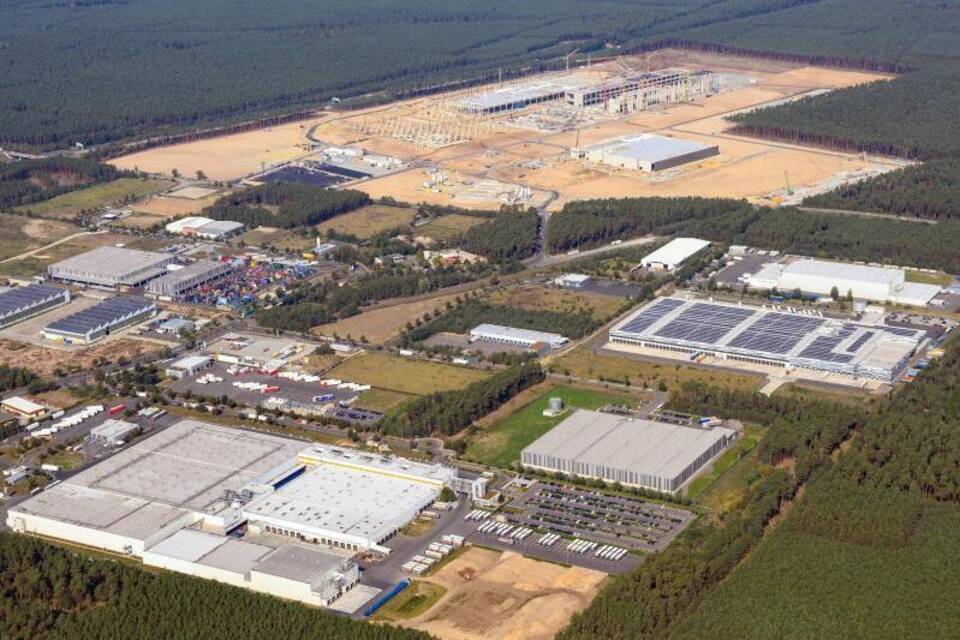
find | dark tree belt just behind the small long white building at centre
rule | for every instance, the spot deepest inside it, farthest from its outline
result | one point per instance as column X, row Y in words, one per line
column 469, row 314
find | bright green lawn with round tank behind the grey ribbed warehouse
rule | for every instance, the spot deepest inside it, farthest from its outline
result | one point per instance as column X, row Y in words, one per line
column 501, row 445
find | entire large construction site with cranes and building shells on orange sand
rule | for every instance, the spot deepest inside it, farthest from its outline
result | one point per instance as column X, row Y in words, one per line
column 551, row 138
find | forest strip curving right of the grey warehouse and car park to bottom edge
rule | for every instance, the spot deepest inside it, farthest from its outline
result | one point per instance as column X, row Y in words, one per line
column 645, row 603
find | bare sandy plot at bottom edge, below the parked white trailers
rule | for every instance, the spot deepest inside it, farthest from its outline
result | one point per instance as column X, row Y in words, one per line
column 508, row 597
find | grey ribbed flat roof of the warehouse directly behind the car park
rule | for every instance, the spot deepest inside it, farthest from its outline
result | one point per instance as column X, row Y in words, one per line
column 632, row 444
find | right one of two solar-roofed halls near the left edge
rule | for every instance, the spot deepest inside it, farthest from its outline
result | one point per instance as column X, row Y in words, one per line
column 100, row 320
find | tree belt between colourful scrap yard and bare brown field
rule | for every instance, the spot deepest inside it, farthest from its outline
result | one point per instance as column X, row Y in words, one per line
column 312, row 304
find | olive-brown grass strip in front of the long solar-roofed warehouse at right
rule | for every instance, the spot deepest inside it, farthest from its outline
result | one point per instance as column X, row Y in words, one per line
column 586, row 363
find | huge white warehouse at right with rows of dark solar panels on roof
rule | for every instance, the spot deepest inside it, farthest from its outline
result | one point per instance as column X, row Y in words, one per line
column 769, row 337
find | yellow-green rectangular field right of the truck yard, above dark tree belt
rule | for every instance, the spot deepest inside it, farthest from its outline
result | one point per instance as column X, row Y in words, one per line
column 406, row 375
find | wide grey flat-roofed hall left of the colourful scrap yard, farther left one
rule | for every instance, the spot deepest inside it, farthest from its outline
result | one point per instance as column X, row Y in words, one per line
column 111, row 267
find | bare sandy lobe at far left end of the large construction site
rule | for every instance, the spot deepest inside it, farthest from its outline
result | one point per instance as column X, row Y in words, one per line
column 227, row 157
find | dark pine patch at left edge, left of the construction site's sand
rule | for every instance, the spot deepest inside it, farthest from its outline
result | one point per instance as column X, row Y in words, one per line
column 29, row 181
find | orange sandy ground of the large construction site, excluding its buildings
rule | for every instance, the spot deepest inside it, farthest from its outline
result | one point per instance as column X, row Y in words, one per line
column 539, row 159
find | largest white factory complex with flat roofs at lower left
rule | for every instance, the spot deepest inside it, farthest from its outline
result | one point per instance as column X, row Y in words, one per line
column 250, row 509
